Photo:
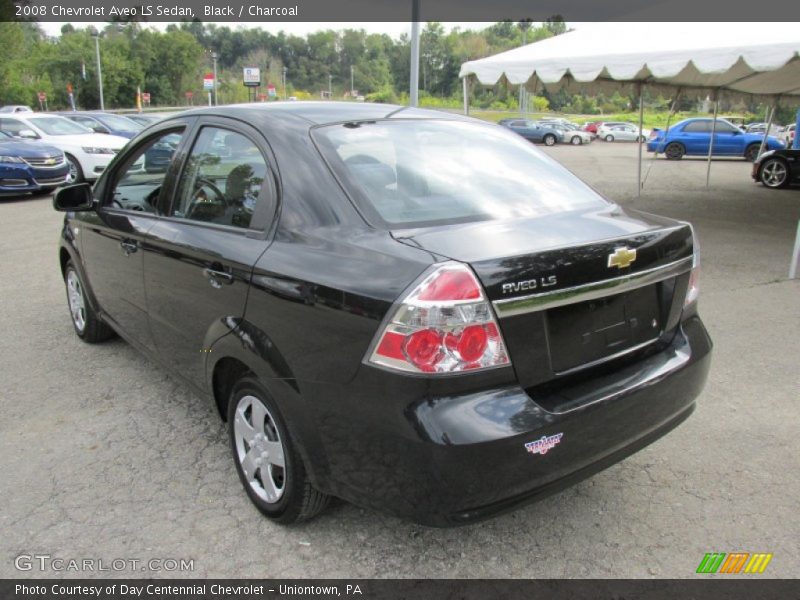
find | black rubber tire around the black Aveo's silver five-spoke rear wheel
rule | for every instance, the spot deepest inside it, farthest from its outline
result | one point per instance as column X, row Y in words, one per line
column 299, row 500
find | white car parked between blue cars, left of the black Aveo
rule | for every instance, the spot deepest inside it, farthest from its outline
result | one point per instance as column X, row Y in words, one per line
column 87, row 153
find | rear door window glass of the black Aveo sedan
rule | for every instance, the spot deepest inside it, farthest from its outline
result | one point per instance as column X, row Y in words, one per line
column 222, row 179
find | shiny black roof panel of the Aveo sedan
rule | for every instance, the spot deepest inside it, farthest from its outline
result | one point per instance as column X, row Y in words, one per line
column 322, row 113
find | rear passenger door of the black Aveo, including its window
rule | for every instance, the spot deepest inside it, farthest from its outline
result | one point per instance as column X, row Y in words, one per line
column 198, row 277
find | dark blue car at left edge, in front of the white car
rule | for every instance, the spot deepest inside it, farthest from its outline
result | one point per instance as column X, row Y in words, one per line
column 29, row 166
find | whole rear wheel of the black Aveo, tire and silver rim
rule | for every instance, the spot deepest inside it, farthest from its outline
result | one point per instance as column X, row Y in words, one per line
column 269, row 466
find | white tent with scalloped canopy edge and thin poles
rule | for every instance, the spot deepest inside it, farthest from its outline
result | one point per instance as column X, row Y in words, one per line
column 760, row 59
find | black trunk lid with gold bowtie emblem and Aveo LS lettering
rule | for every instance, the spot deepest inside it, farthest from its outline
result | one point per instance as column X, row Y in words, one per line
column 573, row 290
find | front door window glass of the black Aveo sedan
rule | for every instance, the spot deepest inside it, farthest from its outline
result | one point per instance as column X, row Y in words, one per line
column 138, row 183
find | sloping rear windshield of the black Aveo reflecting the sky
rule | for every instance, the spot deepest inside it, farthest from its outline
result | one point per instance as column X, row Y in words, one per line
column 415, row 173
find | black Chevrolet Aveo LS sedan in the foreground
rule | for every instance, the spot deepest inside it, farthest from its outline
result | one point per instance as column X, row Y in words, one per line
column 413, row 311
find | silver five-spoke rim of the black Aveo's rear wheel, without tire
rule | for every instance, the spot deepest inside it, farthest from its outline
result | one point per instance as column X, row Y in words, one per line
column 259, row 449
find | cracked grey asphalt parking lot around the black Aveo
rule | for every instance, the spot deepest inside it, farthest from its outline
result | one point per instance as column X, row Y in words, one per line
column 104, row 455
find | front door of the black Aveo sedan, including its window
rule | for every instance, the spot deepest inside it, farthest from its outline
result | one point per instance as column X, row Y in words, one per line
column 114, row 238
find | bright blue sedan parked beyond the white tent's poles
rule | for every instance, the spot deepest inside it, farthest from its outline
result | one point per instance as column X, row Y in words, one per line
column 692, row 137
